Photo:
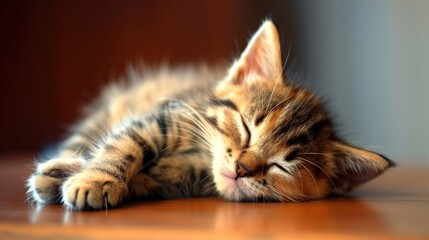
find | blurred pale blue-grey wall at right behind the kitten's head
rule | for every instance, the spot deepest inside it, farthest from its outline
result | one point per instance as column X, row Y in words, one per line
column 370, row 62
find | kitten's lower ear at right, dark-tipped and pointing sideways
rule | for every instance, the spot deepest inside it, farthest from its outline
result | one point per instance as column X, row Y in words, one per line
column 357, row 166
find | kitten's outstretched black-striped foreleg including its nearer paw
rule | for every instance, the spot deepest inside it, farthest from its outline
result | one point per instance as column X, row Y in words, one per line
column 133, row 146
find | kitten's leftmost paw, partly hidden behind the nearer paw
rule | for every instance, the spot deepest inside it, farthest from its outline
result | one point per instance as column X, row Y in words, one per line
column 44, row 185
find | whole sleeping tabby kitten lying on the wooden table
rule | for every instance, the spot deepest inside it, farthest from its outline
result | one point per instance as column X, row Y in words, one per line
column 252, row 136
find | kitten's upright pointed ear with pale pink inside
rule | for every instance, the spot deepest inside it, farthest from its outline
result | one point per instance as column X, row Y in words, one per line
column 262, row 56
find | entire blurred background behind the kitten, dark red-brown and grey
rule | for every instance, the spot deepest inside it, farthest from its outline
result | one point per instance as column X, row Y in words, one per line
column 369, row 60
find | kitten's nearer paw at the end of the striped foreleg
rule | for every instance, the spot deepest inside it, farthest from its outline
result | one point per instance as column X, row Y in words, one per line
column 91, row 190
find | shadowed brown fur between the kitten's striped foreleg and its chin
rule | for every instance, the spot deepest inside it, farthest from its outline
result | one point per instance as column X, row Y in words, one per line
column 184, row 174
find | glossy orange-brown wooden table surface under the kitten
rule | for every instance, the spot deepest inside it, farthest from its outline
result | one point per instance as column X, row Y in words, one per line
column 394, row 206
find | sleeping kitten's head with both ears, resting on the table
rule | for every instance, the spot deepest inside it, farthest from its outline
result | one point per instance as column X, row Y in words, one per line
column 274, row 140
